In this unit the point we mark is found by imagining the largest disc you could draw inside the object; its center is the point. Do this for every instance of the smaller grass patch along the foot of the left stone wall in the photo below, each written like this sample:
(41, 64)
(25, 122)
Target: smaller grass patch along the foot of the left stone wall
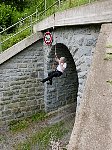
(17, 126)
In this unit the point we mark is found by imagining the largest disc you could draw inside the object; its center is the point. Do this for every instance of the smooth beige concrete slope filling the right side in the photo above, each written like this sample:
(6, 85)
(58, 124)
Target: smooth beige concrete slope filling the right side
(93, 124)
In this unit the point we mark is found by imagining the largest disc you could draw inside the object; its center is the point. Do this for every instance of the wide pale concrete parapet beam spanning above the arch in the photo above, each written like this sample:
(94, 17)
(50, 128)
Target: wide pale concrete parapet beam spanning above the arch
(97, 12)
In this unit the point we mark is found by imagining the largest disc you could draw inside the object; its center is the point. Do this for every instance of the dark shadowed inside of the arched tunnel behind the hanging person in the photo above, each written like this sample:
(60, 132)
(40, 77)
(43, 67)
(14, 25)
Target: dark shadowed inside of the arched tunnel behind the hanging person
(64, 89)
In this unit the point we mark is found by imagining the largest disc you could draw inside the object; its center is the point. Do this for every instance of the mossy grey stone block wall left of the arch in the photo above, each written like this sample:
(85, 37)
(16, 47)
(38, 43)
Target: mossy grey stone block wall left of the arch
(20, 94)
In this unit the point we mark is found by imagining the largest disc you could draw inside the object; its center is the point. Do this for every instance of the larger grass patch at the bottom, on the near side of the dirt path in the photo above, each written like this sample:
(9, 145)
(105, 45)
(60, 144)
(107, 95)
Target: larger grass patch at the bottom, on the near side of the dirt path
(43, 138)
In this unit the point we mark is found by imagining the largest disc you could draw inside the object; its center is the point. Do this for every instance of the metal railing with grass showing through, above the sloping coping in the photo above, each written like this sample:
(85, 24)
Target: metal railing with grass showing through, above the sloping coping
(27, 22)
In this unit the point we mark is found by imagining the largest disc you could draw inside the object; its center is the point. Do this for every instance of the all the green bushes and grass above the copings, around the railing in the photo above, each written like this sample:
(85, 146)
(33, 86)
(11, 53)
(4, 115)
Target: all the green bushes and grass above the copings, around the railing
(12, 11)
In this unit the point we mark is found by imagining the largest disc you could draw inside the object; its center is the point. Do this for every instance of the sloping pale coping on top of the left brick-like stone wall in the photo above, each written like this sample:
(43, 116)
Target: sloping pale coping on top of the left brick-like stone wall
(18, 47)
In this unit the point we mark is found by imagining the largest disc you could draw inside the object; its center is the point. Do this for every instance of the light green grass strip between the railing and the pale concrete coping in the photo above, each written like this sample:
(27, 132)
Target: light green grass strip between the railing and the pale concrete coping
(65, 5)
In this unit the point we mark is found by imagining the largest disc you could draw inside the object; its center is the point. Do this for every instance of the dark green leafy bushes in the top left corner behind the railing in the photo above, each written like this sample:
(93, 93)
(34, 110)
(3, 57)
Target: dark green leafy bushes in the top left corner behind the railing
(12, 10)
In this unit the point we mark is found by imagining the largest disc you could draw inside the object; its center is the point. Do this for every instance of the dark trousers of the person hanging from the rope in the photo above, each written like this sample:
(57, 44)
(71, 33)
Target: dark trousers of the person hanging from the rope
(51, 75)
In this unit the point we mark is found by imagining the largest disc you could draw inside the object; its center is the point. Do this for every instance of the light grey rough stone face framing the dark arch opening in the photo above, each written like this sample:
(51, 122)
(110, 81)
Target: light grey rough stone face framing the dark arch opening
(80, 42)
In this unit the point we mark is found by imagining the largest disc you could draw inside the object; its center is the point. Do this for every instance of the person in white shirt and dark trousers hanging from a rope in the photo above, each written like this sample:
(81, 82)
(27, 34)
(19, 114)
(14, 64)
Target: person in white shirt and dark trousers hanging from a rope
(59, 70)
